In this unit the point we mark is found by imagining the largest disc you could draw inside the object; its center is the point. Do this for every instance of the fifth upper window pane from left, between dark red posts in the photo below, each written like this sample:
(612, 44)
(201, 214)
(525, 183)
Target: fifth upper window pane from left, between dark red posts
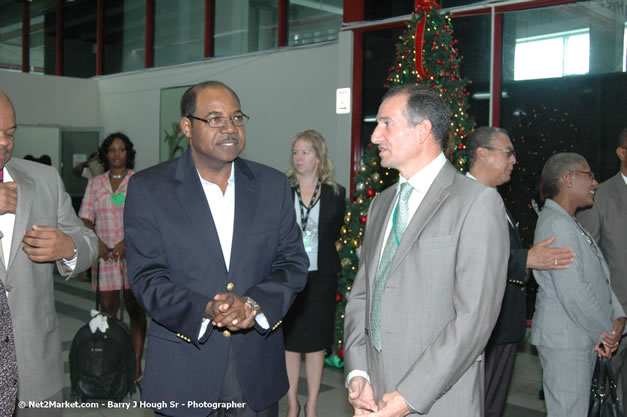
(179, 31)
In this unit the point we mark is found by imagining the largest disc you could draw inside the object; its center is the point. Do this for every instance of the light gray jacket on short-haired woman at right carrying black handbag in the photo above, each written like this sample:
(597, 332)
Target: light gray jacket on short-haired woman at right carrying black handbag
(575, 305)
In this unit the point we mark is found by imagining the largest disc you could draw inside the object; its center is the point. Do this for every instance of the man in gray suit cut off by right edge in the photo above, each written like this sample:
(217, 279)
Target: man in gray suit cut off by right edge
(606, 221)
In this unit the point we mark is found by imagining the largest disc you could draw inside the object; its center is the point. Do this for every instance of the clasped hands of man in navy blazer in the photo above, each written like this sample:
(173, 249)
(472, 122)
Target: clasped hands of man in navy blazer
(231, 311)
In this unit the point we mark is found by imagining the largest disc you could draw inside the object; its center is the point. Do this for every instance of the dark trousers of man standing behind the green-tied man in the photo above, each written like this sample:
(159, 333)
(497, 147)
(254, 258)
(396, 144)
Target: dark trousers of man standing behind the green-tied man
(499, 367)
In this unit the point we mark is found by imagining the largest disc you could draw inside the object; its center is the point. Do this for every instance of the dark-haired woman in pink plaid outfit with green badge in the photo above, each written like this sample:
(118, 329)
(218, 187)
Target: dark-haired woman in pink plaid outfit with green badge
(102, 211)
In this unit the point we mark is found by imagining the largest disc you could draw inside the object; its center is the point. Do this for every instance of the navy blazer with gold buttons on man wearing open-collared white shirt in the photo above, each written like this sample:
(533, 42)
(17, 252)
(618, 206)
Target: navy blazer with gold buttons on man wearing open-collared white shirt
(176, 266)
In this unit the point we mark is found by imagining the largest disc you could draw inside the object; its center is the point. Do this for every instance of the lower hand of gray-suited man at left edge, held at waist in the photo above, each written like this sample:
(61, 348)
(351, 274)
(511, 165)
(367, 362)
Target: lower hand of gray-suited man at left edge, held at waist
(46, 243)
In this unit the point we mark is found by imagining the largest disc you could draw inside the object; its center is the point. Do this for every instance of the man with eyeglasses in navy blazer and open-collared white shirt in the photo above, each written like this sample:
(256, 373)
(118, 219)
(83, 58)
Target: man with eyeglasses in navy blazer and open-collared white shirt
(215, 257)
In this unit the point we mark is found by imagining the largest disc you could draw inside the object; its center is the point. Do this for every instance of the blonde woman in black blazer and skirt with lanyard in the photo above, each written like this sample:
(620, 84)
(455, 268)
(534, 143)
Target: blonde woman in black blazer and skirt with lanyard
(320, 205)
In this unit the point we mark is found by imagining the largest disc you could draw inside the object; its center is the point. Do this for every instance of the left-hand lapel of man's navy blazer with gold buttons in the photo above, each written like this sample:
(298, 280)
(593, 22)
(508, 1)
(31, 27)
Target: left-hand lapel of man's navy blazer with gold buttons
(193, 203)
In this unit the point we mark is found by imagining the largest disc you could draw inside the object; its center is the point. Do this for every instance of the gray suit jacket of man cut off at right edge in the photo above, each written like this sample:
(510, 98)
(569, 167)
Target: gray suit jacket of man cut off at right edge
(606, 221)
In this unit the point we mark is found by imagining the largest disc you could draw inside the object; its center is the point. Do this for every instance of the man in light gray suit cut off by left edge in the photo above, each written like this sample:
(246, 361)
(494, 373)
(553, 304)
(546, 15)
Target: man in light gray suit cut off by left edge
(39, 228)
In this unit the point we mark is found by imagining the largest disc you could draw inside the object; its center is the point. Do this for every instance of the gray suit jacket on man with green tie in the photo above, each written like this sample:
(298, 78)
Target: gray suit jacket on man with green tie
(441, 300)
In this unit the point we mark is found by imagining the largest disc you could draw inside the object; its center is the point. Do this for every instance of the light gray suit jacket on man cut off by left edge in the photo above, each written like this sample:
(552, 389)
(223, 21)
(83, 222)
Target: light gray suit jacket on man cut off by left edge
(42, 201)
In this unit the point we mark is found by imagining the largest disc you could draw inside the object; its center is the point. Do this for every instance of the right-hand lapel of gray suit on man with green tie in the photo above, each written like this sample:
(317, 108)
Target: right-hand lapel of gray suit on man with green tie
(437, 193)
